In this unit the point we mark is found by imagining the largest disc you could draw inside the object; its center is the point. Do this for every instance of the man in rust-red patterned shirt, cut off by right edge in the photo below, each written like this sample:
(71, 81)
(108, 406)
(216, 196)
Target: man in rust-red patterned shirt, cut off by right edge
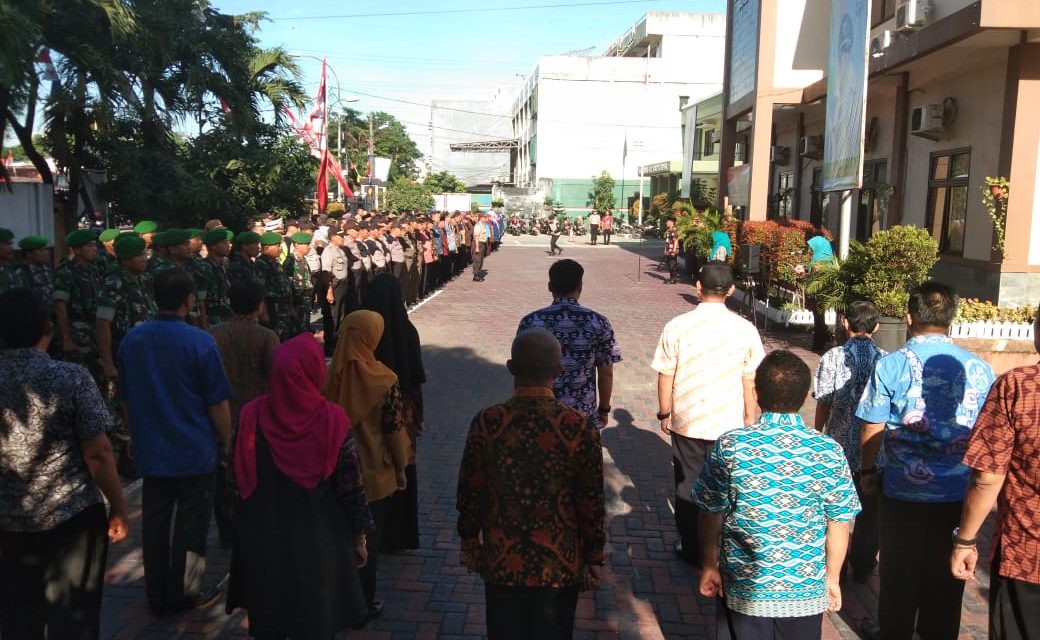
(1004, 454)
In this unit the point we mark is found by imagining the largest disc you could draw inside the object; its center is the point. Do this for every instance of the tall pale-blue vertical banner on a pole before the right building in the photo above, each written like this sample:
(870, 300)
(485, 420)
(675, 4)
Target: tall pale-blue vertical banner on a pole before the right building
(847, 78)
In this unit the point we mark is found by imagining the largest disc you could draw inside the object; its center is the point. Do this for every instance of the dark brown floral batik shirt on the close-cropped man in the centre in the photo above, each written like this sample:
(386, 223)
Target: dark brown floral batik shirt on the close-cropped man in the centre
(531, 493)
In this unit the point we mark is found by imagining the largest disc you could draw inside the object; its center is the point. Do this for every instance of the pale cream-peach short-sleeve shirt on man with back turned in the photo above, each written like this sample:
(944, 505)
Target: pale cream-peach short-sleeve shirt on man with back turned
(709, 352)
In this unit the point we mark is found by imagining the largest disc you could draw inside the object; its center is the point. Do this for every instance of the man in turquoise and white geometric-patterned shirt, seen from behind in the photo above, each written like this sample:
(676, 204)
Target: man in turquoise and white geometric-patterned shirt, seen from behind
(782, 497)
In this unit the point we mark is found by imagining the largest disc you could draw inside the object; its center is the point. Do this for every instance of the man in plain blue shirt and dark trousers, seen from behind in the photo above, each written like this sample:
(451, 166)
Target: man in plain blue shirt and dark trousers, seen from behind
(176, 394)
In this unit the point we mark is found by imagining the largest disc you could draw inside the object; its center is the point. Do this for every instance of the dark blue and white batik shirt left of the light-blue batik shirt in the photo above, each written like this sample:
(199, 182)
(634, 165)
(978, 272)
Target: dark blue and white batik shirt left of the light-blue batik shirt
(841, 379)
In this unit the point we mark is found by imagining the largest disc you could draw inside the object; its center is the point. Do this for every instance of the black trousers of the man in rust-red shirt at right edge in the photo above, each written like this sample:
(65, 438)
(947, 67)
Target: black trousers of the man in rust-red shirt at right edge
(1015, 606)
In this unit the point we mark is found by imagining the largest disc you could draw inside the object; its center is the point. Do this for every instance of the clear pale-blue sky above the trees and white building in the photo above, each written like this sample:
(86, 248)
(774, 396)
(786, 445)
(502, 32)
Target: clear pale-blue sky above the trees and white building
(465, 50)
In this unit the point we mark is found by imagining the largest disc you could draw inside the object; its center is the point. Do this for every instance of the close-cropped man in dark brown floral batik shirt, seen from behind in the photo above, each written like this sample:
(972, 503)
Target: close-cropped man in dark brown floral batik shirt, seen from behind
(531, 501)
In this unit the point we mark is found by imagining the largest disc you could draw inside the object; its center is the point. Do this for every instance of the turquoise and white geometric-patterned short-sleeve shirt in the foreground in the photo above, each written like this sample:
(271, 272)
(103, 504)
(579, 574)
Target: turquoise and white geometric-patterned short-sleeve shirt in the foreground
(776, 484)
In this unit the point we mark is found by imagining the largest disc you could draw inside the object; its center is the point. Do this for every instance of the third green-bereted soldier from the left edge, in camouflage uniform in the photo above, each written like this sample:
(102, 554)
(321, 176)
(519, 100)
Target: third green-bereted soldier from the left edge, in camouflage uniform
(76, 287)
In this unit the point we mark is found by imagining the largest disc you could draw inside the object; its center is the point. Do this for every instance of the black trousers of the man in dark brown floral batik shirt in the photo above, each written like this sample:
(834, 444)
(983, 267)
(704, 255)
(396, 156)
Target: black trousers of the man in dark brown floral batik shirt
(531, 613)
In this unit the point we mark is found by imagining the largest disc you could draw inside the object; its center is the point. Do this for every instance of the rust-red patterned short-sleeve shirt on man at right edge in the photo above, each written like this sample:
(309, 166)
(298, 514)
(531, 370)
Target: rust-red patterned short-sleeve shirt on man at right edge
(1006, 441)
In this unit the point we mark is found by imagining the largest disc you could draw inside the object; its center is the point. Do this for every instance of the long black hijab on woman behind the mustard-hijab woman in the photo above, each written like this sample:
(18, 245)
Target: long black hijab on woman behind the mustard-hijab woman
(399, 348)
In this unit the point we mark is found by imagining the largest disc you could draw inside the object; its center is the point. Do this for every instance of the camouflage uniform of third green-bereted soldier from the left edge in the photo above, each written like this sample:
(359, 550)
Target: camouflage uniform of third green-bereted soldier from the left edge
(77, 286)
